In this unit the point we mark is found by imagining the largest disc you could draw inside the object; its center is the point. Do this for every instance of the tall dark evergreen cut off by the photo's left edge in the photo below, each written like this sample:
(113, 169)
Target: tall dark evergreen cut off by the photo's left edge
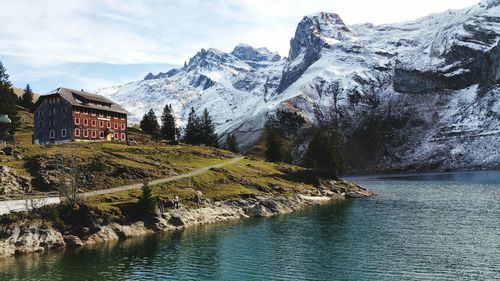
(8, 99)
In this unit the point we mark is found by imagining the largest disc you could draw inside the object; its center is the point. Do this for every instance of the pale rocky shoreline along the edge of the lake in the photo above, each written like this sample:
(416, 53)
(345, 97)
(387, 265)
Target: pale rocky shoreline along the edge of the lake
(37, 237)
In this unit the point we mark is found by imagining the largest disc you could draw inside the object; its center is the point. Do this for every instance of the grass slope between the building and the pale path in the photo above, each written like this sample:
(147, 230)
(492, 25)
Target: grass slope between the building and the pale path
(148, 159)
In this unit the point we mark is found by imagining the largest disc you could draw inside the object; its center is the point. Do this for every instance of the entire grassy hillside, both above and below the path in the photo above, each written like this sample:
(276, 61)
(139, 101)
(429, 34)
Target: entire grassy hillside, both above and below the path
(104, 165)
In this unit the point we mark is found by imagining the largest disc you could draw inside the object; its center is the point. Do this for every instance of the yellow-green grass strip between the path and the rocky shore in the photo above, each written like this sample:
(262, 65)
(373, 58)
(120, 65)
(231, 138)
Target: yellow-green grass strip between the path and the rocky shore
(242, 179)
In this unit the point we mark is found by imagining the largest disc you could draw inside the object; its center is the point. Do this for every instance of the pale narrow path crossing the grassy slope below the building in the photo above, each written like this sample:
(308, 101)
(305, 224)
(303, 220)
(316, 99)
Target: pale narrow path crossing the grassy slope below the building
(8, 206)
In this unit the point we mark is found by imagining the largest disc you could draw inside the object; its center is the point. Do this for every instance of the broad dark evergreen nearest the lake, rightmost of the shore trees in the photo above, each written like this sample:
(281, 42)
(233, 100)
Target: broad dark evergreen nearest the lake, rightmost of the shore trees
(324, 154)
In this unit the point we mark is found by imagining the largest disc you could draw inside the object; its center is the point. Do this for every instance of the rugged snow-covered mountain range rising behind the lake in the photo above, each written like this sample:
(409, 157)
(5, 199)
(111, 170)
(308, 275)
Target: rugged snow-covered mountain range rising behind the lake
(425, 93)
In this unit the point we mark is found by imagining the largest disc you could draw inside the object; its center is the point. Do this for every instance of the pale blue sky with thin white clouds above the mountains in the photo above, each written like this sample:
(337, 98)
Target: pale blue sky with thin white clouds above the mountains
(90, 44)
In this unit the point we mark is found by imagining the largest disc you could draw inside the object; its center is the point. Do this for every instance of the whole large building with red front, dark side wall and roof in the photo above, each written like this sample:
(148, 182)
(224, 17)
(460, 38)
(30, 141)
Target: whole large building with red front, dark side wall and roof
(70, 115)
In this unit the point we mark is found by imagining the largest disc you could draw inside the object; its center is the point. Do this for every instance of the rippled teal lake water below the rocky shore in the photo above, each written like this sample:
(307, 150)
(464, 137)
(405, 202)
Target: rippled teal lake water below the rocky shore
(419, 227)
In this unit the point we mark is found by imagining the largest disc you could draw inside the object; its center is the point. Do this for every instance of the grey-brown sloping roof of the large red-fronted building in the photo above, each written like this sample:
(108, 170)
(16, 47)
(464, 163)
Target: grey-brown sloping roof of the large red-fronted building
(84, 99)
